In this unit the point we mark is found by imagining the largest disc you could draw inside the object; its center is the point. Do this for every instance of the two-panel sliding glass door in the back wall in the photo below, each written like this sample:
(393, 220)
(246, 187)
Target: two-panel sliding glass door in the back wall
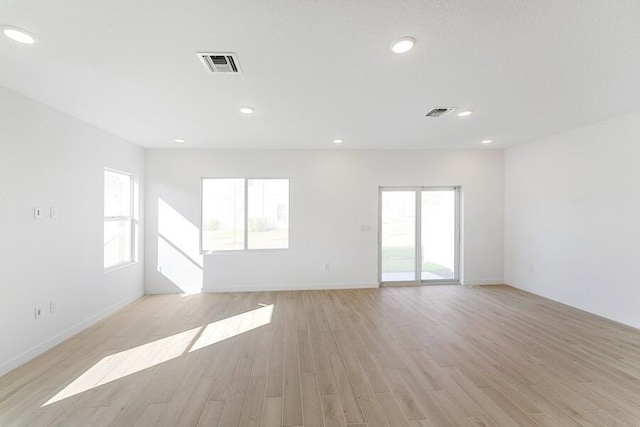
(419, 234)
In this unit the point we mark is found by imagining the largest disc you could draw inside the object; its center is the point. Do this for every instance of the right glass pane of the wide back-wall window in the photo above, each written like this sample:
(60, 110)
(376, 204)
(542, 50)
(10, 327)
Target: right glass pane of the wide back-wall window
(268, 213)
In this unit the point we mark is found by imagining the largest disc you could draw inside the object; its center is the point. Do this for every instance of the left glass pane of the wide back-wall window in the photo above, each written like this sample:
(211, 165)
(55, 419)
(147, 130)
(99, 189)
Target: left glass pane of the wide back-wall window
(222, 214)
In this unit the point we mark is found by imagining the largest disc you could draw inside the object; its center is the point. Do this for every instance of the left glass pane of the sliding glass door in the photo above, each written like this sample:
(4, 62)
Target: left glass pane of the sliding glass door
(398, 236)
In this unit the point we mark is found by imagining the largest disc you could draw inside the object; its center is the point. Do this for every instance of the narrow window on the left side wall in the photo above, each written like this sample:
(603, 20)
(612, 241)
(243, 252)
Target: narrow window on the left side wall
(118, 219)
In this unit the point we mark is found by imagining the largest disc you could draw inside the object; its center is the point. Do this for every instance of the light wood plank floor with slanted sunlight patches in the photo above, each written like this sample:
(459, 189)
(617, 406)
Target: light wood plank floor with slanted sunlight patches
(414, 356)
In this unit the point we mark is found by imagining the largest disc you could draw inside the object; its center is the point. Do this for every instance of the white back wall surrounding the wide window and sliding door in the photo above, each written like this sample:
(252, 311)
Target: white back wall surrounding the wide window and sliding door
(333, 193)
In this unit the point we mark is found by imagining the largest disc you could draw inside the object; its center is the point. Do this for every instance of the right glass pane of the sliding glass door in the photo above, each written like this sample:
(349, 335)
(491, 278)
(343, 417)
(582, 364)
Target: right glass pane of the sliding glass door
(438, 235)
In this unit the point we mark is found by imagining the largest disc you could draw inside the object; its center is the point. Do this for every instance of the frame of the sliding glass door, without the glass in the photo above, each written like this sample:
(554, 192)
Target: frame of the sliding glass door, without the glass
(418, 236)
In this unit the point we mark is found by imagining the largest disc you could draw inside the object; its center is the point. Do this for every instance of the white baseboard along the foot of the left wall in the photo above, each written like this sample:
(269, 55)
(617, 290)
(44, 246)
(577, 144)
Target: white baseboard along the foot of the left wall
(68, 333)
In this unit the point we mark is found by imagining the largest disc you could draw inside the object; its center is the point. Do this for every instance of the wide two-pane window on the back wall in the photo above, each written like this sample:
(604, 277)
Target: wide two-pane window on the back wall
(241, 214)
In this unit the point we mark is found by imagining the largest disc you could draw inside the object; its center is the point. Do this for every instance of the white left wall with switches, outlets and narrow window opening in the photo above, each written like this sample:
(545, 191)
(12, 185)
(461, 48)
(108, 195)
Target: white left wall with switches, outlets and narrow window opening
(51, 159)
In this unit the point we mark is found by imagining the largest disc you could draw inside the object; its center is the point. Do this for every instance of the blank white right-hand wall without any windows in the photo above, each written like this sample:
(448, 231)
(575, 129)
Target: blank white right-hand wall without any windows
(572, 226)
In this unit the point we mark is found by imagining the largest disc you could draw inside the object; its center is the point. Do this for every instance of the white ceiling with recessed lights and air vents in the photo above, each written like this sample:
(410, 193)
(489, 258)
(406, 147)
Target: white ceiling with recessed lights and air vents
(319, 70)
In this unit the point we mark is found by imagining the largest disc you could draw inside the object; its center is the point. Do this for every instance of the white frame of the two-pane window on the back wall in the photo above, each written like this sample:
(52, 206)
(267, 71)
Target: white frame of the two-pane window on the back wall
(245, 247)
